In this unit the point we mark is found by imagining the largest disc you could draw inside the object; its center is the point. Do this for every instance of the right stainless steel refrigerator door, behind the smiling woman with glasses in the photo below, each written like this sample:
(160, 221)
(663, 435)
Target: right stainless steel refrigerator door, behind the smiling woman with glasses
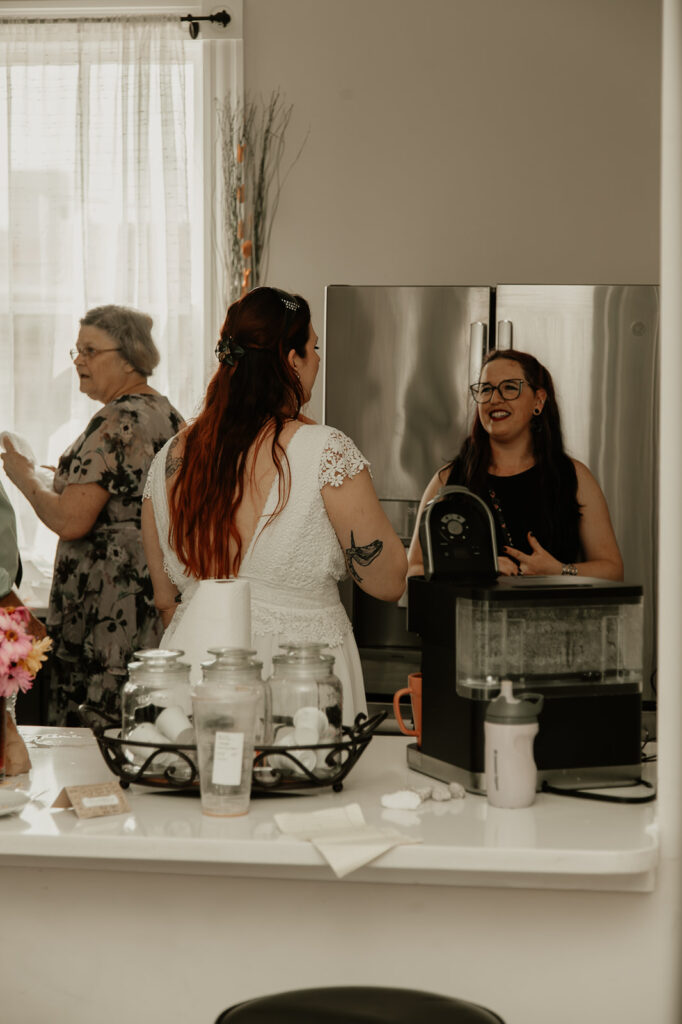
(601, 344)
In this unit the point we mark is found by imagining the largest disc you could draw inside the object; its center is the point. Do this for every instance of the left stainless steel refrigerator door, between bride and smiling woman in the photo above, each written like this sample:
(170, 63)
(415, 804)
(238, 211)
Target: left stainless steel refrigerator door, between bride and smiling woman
(397, 376)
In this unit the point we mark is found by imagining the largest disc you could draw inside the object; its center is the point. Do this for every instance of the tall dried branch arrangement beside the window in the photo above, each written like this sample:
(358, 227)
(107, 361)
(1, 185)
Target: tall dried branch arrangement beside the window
(252, 147)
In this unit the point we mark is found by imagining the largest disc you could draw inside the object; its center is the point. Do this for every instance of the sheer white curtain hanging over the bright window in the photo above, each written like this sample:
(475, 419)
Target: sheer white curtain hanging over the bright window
(97, 129)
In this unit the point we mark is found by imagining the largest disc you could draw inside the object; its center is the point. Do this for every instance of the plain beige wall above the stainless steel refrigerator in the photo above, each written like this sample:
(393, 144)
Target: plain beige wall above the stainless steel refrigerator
(463, 142)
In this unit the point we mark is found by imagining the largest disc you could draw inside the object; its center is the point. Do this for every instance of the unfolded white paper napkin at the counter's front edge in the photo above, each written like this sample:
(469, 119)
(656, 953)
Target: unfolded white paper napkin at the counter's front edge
(342, 836)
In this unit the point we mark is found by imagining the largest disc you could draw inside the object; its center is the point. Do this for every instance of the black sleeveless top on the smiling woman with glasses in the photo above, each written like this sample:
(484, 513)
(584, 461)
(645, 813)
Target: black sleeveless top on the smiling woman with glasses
(519, 508)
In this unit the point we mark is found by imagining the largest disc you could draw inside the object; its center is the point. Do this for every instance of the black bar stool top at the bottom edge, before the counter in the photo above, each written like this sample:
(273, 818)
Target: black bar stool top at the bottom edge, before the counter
(358, 1005)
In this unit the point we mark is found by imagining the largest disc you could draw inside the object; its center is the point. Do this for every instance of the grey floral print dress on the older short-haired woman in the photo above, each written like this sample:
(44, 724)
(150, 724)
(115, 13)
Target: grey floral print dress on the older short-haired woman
(102, 604)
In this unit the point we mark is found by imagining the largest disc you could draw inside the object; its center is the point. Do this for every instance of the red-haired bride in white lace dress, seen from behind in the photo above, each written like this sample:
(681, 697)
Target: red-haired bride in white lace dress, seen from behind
(254, 490)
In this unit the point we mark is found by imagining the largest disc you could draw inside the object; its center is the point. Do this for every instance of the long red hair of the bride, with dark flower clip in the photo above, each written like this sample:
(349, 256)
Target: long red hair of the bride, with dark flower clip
(260, 388)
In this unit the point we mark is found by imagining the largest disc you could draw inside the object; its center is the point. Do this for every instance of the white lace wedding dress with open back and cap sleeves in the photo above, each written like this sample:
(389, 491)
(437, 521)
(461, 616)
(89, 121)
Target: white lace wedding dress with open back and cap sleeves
(293, 564)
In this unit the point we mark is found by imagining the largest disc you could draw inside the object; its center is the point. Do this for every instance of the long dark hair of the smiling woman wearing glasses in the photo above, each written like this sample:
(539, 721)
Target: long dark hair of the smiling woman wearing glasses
(558, 474)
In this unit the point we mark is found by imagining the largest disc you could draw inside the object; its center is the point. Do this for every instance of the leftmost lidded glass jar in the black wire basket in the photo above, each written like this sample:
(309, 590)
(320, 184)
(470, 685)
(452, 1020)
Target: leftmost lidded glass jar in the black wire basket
(156, 705)
